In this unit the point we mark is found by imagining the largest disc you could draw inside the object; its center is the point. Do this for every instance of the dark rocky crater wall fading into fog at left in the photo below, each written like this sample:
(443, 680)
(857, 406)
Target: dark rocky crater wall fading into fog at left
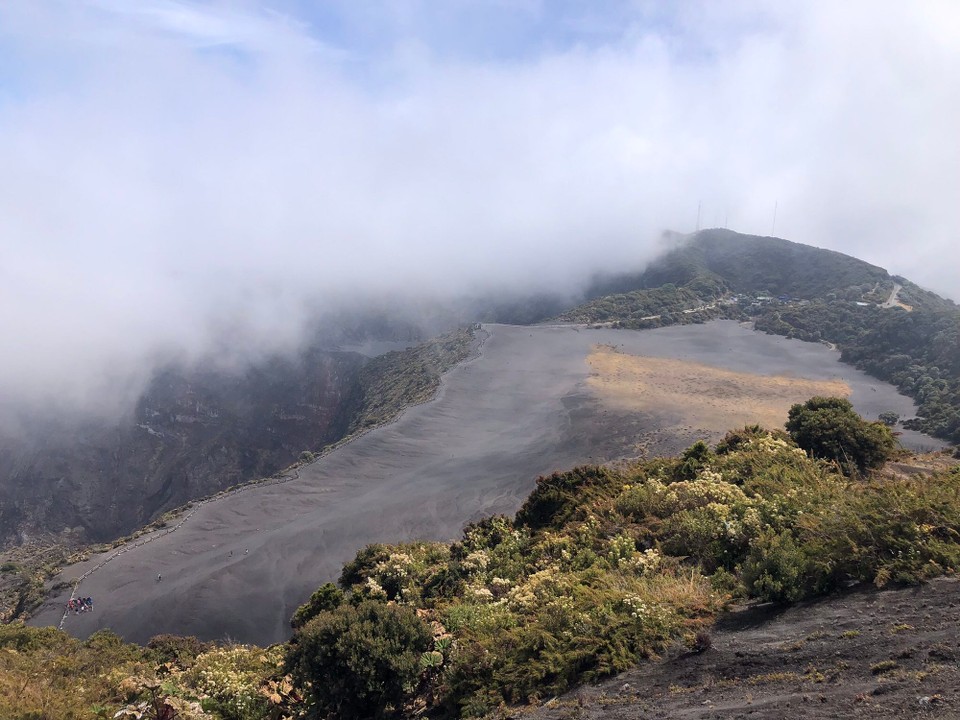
(190, 435)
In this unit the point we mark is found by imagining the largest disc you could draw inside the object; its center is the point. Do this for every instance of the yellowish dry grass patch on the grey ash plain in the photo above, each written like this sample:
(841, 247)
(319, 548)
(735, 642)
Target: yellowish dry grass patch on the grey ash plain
(703, 396)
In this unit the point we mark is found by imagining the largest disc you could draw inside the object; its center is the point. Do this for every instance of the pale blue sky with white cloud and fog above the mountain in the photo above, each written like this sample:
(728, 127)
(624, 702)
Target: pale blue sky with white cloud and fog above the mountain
(172, 168)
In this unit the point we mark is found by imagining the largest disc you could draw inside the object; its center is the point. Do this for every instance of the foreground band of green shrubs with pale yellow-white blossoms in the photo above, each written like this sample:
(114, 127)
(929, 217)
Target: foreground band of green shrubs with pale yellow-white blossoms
(601, 568)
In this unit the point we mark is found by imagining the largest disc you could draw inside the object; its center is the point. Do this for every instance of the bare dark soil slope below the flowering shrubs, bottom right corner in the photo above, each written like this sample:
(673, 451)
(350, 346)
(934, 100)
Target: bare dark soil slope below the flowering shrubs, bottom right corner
(861, 654)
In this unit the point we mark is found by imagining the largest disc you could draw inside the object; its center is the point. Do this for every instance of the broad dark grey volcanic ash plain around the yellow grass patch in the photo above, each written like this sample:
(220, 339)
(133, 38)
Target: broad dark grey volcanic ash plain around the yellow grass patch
(239, 566)
